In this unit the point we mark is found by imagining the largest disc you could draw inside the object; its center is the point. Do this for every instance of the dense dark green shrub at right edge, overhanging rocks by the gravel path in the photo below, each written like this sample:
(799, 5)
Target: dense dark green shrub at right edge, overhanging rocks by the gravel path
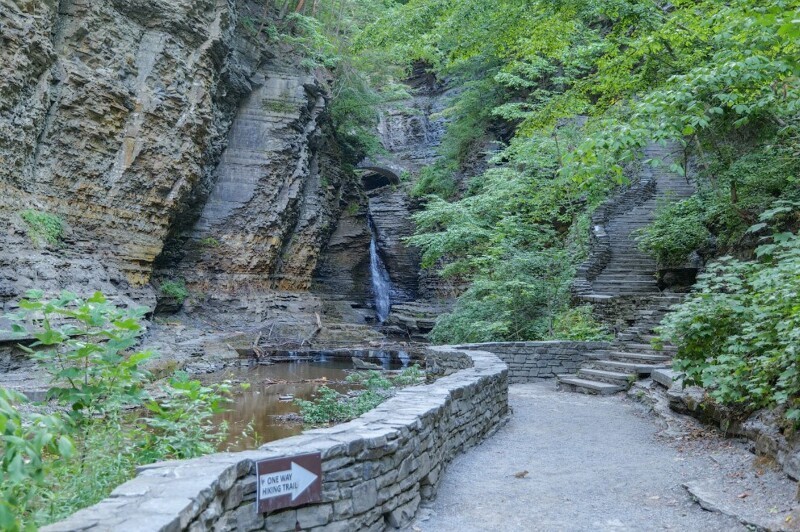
(738, 333)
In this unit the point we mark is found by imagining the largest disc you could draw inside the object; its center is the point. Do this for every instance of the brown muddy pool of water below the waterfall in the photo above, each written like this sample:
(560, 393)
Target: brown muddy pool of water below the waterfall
(259, 414)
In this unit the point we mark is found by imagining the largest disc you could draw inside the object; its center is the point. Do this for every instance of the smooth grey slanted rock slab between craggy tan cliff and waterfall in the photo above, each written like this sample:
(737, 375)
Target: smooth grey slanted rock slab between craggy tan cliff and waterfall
(279, 191)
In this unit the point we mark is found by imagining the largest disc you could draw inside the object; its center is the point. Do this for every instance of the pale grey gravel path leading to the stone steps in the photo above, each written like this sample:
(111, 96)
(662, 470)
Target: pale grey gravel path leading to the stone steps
(593, 463)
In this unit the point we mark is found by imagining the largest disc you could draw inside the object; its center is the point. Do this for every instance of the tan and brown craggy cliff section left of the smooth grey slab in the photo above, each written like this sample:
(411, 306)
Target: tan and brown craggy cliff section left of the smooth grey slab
(112, 114)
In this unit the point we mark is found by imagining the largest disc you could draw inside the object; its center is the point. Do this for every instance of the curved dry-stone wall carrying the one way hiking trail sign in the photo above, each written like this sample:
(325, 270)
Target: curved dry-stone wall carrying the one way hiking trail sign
(376, 469)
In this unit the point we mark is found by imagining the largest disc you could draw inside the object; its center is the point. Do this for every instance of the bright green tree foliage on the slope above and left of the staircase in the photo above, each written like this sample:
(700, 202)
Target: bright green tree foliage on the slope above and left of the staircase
(720, 78)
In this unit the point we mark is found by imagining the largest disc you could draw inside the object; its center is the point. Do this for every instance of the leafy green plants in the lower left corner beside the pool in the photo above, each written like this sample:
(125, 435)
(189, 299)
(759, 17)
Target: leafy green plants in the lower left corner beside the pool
(53, 465)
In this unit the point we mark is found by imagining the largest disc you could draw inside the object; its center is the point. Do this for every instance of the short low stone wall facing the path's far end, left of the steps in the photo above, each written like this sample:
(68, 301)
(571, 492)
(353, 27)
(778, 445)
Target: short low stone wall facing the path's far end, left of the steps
(540, 360)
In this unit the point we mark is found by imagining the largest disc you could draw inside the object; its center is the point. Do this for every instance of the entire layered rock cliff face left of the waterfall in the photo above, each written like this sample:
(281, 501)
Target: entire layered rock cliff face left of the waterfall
(169, 139)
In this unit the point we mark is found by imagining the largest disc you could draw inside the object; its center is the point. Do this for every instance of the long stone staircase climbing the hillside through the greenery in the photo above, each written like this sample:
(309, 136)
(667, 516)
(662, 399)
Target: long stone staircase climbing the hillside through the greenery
(620, 274)
